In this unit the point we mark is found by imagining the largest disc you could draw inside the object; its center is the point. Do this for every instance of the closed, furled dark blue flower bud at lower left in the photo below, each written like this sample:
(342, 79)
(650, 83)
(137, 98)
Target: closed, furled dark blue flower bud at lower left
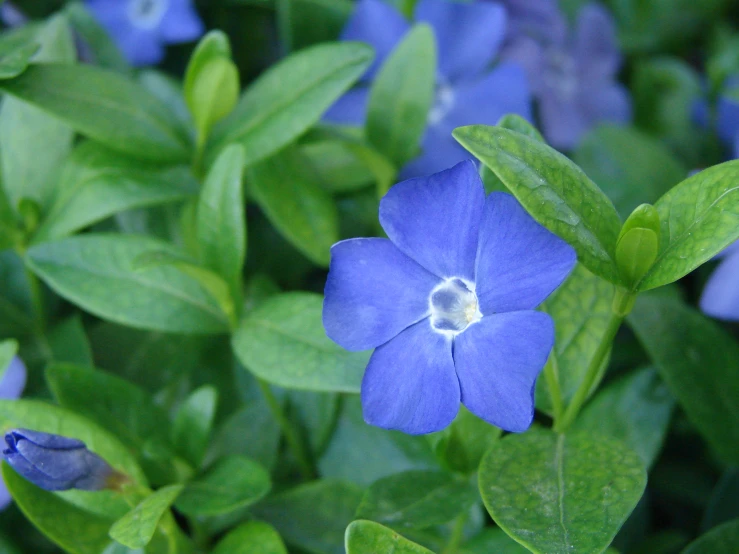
(55, 463)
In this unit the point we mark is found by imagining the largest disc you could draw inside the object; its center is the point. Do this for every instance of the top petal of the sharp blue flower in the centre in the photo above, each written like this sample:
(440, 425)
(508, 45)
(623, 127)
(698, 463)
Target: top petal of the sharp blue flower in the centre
(434, 219)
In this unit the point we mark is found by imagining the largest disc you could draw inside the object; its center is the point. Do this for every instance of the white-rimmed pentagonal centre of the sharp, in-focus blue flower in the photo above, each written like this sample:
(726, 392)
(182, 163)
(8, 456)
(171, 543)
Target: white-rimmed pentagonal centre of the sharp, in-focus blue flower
(453, 306)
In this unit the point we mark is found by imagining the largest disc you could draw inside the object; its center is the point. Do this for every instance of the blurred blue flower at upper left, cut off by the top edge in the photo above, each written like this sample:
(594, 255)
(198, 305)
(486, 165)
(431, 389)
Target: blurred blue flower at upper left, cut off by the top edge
(141, 27)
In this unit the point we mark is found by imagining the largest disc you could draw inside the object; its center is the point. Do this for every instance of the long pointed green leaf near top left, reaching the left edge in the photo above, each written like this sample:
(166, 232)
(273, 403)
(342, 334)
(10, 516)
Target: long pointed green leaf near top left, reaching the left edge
(104, 106)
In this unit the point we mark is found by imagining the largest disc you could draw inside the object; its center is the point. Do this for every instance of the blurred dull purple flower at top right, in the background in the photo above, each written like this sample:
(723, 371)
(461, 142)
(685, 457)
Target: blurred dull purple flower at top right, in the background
(574, 78)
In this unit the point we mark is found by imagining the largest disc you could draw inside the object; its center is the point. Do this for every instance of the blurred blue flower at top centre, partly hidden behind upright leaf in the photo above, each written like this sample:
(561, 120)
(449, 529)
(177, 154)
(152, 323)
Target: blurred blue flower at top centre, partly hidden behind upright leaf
(468, 37)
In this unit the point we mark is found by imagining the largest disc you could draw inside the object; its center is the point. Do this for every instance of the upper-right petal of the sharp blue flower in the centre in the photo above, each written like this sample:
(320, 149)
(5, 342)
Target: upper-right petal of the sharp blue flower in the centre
(519, 262)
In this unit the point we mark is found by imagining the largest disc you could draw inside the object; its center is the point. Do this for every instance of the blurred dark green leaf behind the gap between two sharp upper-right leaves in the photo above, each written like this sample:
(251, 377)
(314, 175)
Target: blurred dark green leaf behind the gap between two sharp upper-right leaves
(630, 166)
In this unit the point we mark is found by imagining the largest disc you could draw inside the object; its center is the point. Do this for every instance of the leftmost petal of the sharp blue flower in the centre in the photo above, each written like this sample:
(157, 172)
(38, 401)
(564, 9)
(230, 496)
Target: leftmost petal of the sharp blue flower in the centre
(373, 292)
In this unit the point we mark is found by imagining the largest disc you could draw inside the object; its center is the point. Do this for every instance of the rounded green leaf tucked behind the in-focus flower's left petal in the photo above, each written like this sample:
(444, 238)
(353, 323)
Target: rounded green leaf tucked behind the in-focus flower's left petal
(283, 342)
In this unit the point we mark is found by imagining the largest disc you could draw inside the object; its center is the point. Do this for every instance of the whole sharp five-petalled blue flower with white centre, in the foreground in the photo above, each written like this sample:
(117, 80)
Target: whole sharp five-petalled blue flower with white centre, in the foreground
(448, 304)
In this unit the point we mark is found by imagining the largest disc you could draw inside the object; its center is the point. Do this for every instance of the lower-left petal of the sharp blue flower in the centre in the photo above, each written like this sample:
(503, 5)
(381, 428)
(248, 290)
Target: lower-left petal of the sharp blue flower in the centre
(410, 384)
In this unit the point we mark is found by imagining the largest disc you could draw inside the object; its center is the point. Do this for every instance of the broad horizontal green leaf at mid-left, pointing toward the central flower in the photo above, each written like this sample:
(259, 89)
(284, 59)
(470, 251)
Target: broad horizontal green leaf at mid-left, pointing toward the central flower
(87, 268)
